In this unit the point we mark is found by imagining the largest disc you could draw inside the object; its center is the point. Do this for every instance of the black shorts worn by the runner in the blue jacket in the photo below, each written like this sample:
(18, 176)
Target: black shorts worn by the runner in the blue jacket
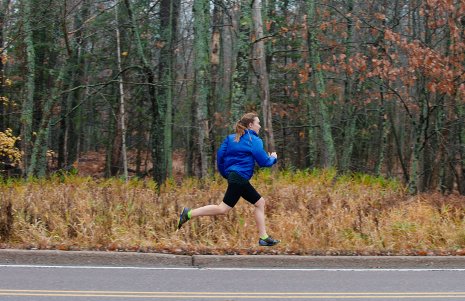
(239, 187)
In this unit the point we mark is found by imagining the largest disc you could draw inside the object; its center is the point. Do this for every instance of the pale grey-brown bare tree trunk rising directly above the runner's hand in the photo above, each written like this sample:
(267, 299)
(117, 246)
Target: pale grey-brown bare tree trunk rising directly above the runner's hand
(259, 63)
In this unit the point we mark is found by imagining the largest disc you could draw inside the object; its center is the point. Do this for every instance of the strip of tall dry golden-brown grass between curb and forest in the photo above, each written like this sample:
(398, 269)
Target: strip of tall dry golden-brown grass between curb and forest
(312, 212)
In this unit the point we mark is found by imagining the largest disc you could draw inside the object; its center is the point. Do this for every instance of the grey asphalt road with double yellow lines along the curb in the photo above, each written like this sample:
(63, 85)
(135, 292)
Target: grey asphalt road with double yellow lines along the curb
(39, 282)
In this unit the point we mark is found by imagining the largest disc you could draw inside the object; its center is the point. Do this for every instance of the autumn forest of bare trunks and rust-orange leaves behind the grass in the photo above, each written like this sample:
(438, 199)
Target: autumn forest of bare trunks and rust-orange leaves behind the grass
(153, 86)
